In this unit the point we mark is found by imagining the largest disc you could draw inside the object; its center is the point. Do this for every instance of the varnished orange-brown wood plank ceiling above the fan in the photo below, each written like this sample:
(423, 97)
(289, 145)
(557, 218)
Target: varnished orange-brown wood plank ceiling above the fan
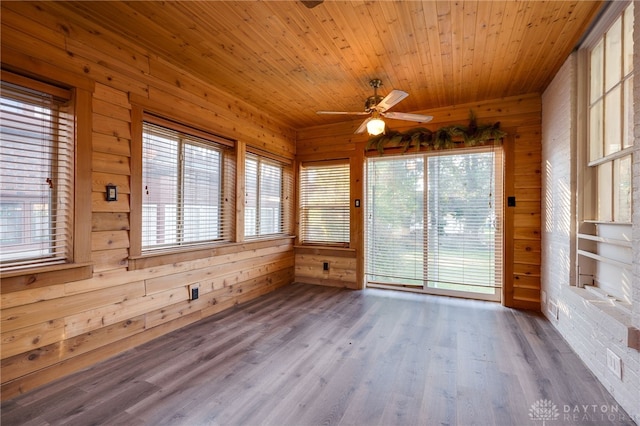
(291, 60)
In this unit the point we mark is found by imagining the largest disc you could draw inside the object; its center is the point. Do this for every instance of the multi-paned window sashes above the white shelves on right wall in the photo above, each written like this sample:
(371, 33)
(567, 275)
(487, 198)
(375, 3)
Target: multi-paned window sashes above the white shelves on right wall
(611, 119)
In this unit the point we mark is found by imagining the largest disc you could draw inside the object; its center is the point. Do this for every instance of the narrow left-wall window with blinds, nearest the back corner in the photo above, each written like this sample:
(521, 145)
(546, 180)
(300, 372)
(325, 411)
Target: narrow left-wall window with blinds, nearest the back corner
(266, 184)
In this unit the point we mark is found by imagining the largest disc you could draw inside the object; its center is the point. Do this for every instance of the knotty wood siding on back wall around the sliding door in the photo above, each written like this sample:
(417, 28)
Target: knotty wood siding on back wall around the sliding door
(520, 117)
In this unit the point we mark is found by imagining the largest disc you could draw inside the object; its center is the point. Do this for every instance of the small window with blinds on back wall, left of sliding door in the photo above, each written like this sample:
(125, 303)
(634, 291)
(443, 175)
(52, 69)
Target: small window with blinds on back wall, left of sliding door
(324, 203)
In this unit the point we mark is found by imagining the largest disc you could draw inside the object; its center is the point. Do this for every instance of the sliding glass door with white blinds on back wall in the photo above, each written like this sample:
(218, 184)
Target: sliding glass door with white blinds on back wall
(434, 222)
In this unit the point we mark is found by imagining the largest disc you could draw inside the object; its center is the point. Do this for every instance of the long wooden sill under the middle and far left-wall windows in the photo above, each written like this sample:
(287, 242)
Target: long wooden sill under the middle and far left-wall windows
(166, 257)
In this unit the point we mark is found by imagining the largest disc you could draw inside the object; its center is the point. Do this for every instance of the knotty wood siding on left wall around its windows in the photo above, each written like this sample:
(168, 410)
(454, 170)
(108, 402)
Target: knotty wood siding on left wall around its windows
(53, 325)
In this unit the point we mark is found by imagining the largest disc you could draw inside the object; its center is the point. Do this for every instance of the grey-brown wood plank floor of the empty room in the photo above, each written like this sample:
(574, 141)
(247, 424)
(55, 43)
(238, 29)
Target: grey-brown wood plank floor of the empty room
(311, 355)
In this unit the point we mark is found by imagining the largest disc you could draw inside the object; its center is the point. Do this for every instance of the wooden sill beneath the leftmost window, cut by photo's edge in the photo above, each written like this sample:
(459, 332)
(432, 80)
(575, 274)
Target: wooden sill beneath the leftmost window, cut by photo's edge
(37, 277)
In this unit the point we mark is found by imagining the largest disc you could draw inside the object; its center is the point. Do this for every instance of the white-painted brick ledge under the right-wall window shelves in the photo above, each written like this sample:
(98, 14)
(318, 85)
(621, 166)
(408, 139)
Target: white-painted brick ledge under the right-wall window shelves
(618, 313)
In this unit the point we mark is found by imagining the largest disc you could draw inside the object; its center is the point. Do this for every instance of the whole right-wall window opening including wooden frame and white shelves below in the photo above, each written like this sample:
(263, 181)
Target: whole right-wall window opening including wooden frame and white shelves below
(604, 238)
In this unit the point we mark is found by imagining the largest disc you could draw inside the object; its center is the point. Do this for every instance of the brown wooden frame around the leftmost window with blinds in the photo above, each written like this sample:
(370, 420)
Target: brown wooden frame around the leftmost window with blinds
(78, 264)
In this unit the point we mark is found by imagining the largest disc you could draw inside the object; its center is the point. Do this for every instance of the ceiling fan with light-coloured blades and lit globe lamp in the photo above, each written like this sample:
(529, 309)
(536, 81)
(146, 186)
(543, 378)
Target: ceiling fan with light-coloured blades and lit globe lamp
(377, 107)
